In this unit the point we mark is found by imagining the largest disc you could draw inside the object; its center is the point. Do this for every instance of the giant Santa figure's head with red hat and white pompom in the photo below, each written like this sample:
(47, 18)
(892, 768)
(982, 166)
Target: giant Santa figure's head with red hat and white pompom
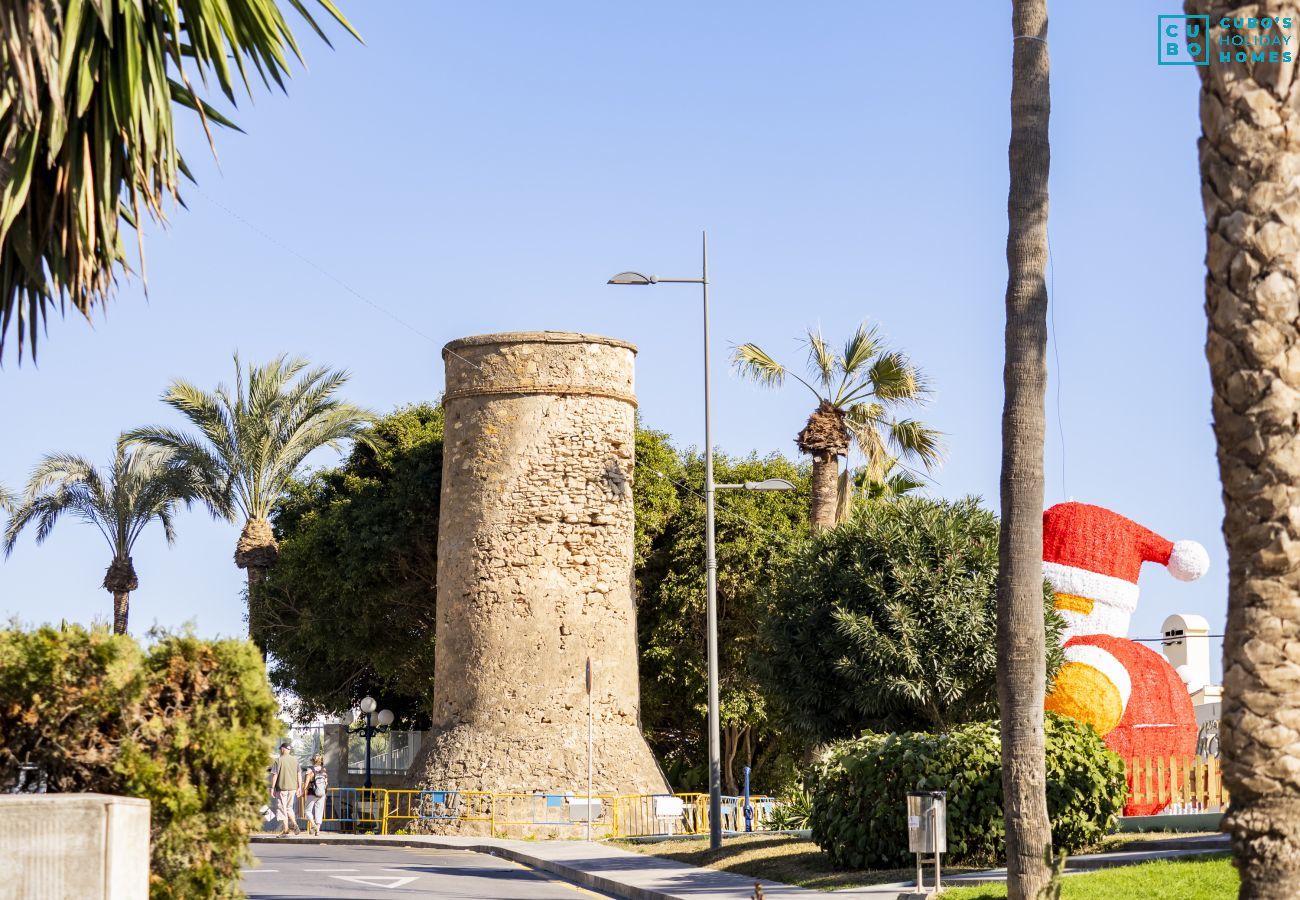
(1093, 557)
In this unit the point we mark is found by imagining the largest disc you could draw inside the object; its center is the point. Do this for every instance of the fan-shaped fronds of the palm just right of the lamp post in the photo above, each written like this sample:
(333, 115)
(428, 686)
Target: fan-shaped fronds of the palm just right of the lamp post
(865, 383)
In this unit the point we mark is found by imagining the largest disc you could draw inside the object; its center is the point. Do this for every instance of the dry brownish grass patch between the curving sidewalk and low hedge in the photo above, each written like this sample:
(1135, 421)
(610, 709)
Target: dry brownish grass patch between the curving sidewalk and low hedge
(778, 858)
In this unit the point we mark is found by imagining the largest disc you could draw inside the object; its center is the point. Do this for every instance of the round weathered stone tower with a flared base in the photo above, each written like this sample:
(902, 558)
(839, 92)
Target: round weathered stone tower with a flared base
(535, 569)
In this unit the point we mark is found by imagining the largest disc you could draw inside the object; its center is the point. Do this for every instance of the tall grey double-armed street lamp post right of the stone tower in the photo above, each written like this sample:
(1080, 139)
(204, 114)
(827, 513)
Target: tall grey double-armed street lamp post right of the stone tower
(716, 769)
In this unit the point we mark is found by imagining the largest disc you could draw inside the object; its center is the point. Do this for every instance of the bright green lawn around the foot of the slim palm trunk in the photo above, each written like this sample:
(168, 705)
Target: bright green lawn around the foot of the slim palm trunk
(1168, 880)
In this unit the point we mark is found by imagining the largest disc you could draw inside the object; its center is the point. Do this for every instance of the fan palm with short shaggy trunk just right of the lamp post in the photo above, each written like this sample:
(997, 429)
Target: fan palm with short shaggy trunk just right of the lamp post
(857, 392)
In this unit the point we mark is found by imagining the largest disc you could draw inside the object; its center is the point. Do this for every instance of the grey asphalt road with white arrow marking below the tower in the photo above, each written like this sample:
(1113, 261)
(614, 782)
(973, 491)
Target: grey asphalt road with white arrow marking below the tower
(362, 873)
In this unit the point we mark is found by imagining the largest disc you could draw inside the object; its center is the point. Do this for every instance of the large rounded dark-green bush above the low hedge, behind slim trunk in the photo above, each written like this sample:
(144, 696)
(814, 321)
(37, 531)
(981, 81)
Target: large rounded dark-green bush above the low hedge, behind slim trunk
(889, 622)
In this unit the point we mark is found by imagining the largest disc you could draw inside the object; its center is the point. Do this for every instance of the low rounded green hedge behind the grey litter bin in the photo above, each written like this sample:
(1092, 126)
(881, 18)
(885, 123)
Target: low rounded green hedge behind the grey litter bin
(861, 786)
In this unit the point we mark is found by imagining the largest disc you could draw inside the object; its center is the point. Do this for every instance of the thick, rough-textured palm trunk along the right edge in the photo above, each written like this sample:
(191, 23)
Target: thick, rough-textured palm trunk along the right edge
(1250, 155)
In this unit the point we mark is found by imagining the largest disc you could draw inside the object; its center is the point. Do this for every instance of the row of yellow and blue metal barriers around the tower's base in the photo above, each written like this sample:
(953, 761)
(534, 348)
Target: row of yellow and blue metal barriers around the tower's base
(383, 811)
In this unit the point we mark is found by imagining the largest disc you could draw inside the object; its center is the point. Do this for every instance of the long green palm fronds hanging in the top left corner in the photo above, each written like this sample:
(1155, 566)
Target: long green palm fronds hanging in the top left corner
(88, 137)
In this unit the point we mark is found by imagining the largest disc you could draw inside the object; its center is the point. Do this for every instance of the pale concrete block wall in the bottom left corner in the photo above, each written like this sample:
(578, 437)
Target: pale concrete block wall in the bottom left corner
(85, 846)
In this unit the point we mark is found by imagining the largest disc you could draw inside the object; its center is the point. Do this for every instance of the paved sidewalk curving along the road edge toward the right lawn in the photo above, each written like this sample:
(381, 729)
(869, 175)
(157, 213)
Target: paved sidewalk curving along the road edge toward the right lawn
(640, 877)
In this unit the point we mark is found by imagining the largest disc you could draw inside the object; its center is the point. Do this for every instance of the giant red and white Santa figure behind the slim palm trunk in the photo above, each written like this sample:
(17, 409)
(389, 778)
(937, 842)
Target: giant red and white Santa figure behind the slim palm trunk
(1129, 693)
